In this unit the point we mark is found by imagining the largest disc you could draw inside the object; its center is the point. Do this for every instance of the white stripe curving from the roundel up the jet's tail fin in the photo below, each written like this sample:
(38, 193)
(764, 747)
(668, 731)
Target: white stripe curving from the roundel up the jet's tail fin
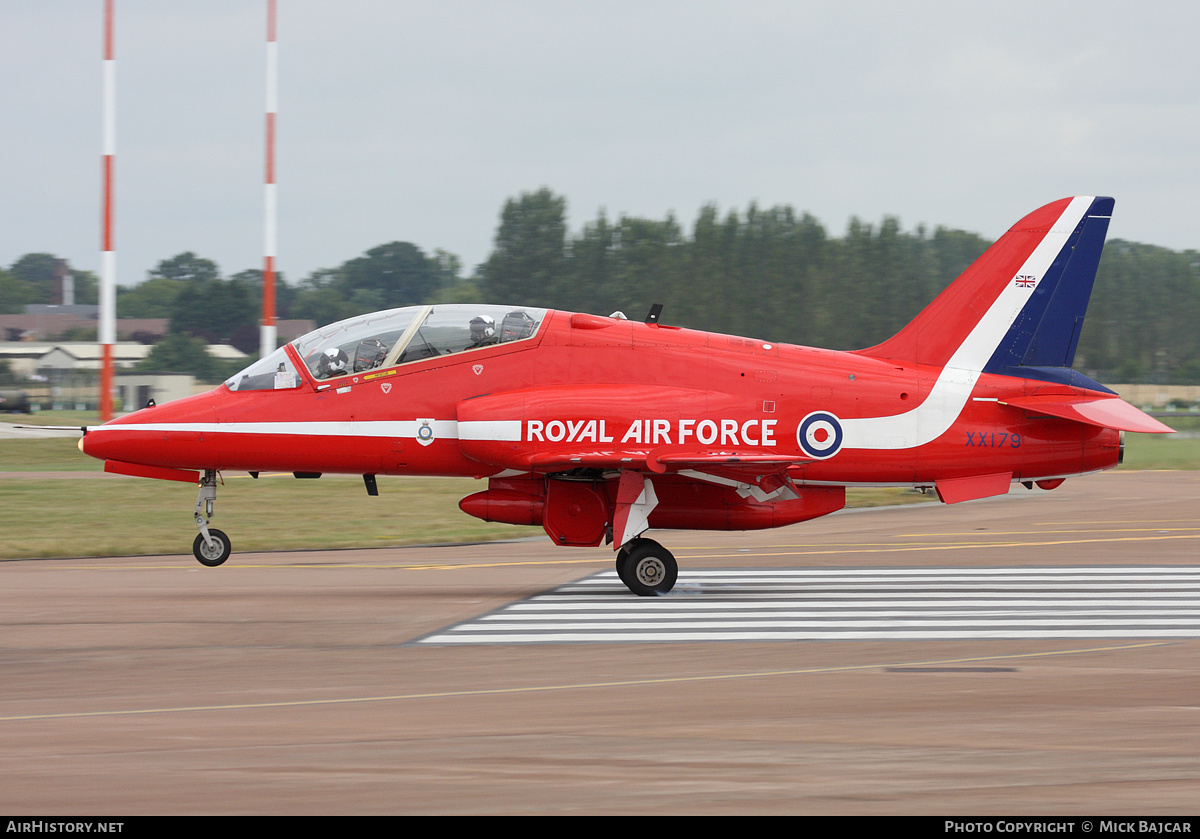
(934, 417)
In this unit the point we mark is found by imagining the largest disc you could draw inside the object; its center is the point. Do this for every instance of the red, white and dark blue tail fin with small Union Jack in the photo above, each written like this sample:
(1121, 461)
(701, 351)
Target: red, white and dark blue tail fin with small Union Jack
(1019, 308)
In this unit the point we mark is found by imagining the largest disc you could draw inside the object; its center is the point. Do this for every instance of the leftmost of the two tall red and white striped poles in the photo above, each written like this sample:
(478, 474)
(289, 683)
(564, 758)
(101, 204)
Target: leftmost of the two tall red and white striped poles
(107, 333)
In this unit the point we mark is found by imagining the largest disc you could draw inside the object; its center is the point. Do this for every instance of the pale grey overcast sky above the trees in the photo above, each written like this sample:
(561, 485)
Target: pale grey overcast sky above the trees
(417, 121)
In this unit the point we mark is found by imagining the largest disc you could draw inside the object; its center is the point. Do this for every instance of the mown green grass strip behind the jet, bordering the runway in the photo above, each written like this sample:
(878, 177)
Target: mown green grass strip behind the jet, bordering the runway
(117, 517)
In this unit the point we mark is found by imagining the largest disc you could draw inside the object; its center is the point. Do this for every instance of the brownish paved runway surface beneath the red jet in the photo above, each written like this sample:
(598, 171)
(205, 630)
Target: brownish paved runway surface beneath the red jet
(337, 682)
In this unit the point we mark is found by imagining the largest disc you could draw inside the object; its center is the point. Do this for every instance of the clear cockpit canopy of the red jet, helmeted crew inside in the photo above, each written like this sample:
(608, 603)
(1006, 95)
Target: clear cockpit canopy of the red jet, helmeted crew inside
(388, 339)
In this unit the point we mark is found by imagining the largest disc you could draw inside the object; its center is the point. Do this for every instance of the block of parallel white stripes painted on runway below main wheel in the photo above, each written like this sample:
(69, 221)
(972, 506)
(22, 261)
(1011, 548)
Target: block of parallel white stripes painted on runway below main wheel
(825, 604)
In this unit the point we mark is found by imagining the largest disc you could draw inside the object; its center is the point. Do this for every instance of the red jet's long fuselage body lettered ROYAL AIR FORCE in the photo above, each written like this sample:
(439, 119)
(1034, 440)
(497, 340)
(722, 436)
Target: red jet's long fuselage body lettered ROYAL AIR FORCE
(587, 385)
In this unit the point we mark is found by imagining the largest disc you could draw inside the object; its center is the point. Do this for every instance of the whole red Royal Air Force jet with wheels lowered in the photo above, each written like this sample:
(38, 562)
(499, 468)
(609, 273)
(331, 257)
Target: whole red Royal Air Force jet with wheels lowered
(601, 428)
